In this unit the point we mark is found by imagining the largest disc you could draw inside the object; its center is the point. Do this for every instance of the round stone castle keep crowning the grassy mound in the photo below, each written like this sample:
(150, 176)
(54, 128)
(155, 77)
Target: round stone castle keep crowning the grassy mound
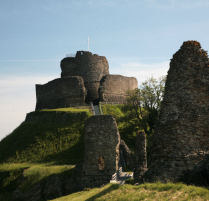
(84, 78)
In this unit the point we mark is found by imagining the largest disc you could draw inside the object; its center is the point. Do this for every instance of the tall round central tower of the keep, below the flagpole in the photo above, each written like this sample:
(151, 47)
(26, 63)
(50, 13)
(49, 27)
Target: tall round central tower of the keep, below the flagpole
(90, 67)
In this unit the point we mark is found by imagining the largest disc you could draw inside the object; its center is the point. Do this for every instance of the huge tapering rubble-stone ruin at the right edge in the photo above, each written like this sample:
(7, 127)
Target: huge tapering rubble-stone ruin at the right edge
(181, 135)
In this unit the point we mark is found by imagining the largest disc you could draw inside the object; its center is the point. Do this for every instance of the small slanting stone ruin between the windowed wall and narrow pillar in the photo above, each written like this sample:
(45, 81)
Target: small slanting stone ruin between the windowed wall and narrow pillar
(128, 156)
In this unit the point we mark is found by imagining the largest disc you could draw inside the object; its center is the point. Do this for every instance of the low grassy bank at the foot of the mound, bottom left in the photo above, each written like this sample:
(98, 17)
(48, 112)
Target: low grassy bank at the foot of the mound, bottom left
(26, 175)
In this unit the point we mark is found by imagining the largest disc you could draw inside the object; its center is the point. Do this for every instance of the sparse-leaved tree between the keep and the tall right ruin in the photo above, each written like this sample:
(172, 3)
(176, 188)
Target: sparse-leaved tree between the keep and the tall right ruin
(144, 103)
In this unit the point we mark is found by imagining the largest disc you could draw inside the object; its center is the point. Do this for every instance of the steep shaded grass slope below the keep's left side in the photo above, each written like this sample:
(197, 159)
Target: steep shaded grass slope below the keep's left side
(49, 135)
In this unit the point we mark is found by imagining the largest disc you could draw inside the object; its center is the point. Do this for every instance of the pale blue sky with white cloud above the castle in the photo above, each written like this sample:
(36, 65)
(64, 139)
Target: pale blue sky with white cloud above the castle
(138, 38)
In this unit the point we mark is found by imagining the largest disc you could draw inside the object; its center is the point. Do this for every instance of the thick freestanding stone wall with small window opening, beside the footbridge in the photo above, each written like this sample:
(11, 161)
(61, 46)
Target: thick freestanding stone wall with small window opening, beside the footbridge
(102, 140)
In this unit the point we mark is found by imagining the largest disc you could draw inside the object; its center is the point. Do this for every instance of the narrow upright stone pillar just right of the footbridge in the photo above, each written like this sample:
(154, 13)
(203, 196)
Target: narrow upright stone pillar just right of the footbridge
(140, 156)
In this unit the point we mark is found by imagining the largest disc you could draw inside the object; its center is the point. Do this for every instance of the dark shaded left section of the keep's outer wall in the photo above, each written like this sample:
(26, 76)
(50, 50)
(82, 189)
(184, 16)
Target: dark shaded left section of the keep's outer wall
(60, 93)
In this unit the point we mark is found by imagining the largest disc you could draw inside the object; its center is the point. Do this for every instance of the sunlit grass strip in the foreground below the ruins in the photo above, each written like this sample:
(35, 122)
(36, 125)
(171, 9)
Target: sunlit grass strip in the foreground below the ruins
(148, 191)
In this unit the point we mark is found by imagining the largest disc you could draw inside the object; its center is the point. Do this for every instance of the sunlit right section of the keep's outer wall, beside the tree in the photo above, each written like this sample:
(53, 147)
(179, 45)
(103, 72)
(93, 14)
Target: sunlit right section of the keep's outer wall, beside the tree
(113, 88)
